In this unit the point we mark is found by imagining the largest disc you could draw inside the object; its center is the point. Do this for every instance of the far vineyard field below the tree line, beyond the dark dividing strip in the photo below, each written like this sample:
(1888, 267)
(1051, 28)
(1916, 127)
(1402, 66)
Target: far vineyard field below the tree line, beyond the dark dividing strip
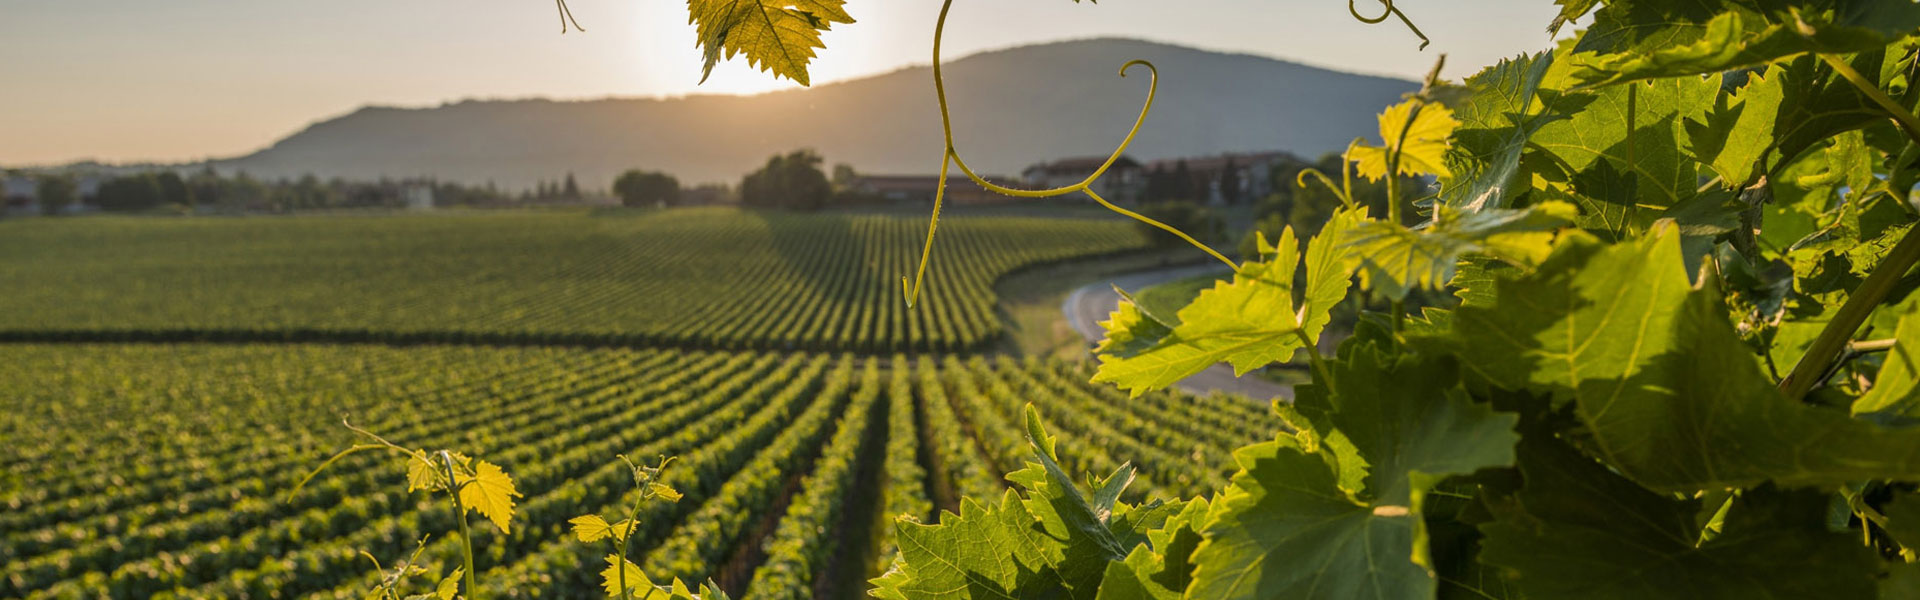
(688, 278)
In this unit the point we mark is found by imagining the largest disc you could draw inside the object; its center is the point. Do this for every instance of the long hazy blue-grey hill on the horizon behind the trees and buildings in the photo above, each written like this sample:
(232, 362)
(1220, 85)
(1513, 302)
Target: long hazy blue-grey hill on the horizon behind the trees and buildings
(1011, 109)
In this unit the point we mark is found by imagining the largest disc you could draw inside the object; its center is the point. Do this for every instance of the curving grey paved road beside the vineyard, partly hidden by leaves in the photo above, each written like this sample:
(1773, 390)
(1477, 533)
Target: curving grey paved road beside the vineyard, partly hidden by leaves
(1093, 303)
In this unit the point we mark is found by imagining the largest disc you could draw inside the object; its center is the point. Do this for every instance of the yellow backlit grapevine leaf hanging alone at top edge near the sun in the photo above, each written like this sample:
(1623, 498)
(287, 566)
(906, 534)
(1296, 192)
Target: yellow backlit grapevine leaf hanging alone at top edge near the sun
(775, 36)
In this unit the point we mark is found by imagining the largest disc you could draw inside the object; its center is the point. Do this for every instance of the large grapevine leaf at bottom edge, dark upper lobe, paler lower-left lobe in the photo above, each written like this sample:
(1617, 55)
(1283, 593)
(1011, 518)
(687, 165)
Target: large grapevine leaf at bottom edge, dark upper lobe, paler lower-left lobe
(1412, 426)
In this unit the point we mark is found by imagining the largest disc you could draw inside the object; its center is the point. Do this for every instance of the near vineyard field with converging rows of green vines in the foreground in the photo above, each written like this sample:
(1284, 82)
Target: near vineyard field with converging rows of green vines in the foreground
(170, 474)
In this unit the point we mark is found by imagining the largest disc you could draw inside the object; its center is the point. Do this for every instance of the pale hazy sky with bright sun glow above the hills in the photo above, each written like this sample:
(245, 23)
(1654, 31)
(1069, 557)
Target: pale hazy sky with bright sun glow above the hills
(185, 80)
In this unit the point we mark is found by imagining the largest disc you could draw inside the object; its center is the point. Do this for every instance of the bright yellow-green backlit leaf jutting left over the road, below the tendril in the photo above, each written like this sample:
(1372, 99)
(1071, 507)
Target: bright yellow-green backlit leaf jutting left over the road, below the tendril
(1247, 322)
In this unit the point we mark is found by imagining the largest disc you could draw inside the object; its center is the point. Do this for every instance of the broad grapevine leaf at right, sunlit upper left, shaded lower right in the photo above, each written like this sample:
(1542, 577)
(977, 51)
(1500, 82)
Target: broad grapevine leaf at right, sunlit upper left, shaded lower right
(1654, 370)
